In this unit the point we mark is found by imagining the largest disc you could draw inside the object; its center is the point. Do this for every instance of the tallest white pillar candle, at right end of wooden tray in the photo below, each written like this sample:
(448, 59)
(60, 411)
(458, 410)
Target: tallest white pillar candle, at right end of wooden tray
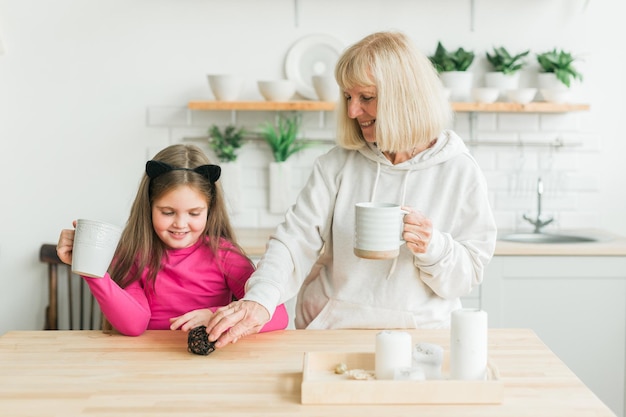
(468, 344)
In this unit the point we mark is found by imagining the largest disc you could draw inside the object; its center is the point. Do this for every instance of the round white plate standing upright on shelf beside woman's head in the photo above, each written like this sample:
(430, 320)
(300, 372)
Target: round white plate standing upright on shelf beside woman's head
(309, 56)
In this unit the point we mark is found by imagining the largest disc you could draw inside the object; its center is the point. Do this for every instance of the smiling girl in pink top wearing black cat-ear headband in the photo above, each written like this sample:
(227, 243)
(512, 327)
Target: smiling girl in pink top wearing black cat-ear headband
(177, 260)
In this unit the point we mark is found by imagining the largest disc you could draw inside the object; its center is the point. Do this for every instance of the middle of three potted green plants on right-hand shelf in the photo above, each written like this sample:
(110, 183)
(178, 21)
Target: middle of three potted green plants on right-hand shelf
(505, 69)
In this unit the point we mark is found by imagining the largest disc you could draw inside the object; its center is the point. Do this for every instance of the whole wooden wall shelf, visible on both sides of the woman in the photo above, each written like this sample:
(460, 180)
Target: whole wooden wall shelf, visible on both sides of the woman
(498, 107)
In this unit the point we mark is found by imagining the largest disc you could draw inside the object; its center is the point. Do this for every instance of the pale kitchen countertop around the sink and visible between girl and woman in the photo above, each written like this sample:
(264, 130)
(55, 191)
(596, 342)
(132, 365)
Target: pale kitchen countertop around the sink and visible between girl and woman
(253, 241)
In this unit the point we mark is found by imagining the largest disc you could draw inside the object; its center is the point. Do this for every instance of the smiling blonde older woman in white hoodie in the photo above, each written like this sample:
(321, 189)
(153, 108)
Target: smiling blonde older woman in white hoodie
(394, 147)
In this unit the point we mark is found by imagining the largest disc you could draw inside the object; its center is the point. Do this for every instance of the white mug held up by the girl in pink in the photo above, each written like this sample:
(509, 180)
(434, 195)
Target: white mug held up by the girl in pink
(94, 246)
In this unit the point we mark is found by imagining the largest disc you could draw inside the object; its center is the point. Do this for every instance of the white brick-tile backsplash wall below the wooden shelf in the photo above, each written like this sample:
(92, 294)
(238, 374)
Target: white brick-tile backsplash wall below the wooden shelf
(513, 149)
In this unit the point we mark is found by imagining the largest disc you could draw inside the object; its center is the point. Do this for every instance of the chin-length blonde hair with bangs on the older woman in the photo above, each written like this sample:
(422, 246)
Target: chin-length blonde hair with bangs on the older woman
(412, 108)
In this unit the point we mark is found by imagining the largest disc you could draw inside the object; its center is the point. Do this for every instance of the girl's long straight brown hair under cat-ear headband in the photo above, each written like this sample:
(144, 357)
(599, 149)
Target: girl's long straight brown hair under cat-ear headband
(140, 247)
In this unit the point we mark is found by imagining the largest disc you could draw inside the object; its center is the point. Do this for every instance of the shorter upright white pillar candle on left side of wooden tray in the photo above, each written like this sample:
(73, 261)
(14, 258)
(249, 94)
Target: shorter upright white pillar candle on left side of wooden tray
(393, 351)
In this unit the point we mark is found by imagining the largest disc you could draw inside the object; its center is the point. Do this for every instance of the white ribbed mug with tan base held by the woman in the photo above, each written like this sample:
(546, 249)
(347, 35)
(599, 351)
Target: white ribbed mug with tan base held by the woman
(378, 230)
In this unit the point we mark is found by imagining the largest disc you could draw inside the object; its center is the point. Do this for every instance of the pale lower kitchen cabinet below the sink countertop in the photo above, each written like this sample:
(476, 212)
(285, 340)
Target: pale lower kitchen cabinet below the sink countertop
(576, 305)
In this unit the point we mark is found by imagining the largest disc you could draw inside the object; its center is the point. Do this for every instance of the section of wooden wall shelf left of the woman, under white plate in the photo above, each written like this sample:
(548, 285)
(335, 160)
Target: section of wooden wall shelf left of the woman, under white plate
(263, 105)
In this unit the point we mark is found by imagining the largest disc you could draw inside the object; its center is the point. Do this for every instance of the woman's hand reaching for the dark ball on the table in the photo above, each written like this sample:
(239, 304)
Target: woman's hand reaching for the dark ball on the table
(236, 320)
